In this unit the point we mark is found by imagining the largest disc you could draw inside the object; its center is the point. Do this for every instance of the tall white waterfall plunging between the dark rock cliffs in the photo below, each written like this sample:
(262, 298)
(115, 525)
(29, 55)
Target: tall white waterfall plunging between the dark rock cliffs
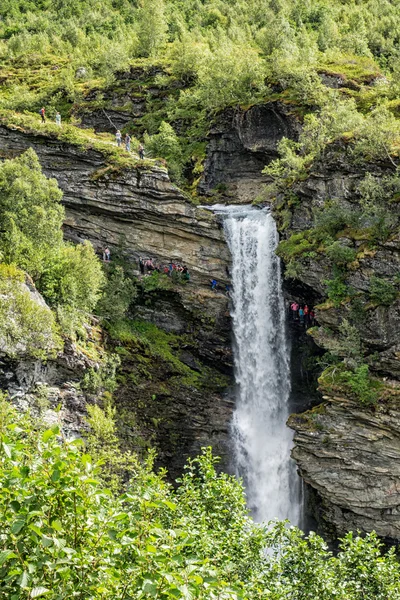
(260, 437)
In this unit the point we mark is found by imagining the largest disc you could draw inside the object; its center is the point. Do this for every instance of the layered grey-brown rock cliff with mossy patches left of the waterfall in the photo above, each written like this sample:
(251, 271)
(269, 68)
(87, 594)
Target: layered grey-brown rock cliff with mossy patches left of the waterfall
(138, 212)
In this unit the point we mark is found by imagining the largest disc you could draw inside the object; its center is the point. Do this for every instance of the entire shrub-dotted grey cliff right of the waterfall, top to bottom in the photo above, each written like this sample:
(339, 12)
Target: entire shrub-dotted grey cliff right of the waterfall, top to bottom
(348, 451)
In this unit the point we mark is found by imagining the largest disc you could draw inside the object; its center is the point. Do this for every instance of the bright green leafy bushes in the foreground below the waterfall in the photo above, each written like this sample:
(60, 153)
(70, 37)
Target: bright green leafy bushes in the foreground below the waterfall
(63, 534)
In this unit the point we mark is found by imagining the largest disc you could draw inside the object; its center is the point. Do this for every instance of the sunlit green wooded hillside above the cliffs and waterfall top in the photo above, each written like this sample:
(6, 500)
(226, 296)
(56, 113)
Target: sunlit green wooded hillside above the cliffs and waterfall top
(209, 55)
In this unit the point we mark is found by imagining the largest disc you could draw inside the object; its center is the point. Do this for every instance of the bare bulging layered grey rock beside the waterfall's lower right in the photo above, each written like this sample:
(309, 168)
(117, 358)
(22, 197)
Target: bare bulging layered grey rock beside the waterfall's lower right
(350, 455)
